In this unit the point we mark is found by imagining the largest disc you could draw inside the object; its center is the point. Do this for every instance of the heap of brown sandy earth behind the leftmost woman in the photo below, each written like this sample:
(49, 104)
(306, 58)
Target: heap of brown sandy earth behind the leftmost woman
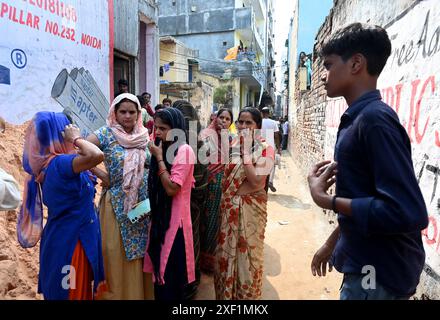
(18, 266)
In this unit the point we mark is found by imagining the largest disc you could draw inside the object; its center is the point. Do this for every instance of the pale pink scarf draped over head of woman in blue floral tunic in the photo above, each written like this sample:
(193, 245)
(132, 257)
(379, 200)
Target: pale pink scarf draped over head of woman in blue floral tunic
(135, 144)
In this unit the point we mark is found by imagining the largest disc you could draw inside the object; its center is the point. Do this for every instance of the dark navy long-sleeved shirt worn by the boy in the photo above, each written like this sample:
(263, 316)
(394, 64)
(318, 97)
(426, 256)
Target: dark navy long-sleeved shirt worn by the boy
(375, 170)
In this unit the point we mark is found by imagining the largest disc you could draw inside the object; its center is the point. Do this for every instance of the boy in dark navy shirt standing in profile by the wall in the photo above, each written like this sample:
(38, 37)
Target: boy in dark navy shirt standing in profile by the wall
(381, 212)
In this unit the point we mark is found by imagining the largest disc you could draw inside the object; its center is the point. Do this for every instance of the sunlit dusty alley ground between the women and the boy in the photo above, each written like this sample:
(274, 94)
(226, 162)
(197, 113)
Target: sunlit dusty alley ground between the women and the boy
(295, 229)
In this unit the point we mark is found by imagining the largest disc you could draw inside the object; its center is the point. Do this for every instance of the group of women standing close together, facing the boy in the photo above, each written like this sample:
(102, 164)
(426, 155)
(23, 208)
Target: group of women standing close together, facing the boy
(184, 223)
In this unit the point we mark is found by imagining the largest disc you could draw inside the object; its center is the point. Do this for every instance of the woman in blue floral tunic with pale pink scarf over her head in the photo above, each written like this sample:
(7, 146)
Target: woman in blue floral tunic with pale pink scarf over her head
(124, 143)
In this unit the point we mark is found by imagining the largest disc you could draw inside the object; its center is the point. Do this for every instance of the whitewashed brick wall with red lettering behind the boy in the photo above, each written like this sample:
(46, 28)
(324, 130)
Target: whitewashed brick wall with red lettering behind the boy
(410, 83)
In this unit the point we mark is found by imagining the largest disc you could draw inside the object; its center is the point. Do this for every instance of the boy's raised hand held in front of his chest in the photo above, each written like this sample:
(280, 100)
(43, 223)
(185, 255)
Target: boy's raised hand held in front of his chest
(320, 178)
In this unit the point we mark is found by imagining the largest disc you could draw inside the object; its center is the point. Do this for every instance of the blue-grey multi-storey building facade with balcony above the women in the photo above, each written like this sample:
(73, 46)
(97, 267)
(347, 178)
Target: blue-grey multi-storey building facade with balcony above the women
(212, 27)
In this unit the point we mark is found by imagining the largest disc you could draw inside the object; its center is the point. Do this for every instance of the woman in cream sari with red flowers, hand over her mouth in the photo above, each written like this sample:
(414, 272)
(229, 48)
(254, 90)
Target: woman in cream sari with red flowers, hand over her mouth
(238, 270)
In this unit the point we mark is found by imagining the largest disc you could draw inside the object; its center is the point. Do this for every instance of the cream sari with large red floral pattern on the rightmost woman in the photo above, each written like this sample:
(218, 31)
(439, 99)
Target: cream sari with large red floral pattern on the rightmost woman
(239, 255)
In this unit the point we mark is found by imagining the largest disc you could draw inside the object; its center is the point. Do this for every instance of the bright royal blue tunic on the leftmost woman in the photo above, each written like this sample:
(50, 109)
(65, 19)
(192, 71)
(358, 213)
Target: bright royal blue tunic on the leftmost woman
(71, 217)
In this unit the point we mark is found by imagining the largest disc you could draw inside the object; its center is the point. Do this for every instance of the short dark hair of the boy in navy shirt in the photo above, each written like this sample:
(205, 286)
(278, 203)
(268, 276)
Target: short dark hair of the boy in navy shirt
(370, 41)
